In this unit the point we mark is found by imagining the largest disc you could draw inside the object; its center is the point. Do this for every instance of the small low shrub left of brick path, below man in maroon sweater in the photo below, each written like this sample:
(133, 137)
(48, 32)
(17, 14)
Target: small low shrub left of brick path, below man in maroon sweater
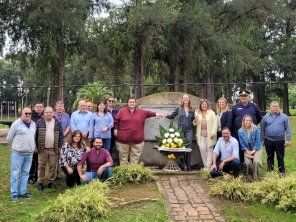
(131, 173)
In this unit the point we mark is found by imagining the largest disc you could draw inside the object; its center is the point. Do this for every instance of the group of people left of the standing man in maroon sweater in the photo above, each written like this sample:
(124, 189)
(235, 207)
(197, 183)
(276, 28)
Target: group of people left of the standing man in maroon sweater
(42, 137)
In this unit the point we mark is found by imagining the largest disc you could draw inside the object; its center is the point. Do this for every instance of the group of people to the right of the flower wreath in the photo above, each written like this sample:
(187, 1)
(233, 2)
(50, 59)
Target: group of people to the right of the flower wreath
(230, 140)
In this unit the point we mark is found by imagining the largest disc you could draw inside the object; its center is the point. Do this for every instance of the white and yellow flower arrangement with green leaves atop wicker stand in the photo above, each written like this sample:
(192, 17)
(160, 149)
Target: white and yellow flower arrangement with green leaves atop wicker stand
(171, 140)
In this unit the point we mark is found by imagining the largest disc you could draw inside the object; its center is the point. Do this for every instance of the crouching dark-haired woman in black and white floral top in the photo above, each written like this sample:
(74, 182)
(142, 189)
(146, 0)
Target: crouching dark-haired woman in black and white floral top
(71, 153)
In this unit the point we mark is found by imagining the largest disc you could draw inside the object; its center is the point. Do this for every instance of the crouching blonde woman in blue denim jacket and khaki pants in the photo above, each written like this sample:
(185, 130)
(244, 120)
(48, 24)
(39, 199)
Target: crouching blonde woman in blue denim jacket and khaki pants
(249, 139)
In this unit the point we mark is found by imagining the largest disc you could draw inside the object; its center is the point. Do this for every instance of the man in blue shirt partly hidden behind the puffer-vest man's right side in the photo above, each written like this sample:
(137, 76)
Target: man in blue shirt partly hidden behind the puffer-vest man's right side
(64, 120)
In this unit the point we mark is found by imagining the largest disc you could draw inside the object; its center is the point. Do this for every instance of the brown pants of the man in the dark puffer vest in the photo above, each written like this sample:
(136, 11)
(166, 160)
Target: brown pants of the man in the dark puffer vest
(48, 155)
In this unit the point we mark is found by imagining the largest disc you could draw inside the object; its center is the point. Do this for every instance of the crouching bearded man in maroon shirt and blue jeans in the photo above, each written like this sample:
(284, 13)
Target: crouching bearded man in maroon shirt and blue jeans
(99, 162)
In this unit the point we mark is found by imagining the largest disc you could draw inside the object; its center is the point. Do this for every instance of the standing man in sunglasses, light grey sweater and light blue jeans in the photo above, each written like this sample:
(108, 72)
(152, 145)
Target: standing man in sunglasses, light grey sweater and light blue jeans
(21, 137)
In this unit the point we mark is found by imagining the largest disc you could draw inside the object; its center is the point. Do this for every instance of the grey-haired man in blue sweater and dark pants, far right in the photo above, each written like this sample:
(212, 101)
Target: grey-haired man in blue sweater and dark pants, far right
(275, 135)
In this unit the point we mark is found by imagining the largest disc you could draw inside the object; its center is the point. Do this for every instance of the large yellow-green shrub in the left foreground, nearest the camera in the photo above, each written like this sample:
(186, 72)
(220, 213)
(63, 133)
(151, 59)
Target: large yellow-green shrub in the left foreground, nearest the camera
(82, 203)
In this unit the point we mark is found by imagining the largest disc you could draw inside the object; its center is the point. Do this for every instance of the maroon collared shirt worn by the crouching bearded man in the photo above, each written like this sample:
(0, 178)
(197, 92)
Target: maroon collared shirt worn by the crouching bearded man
(95, 161)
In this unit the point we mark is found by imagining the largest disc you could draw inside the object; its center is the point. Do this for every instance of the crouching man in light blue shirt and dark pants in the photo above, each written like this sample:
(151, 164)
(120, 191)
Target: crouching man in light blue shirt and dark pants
(226, 155)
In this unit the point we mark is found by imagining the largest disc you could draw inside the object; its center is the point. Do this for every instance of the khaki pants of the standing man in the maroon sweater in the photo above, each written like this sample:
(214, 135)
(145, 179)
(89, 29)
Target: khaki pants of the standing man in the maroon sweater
(133, 152)
